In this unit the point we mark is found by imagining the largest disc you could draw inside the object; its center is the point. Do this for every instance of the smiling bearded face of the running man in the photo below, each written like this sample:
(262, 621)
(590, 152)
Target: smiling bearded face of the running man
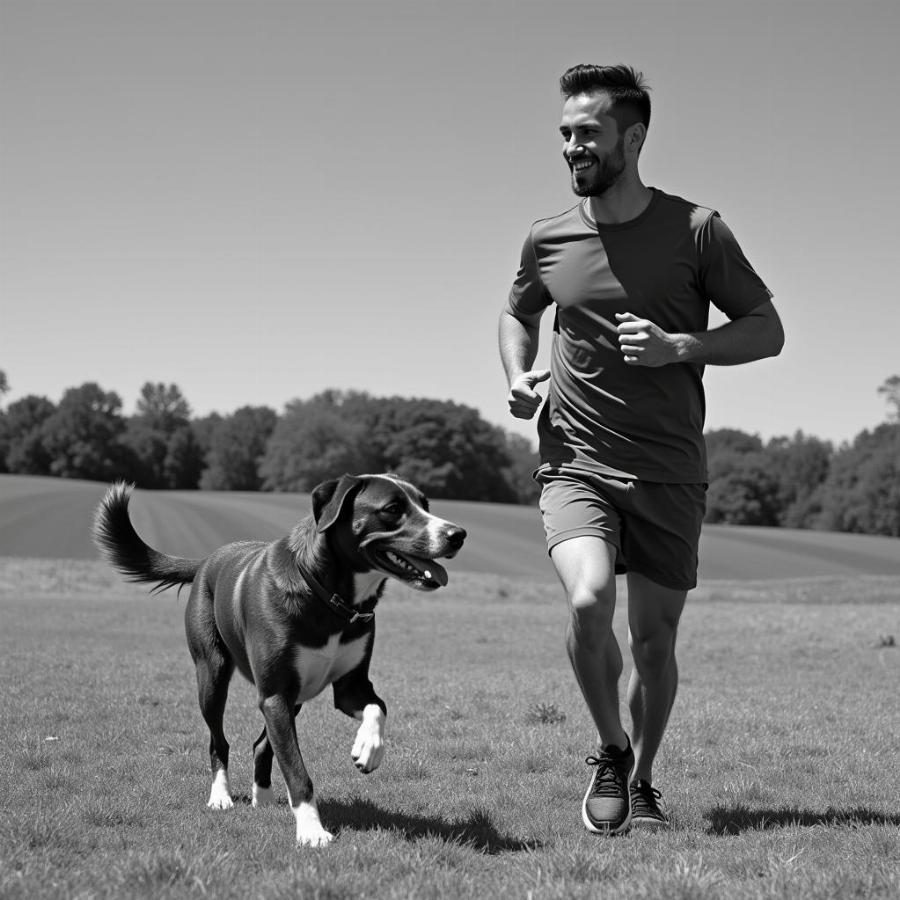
(593, 148)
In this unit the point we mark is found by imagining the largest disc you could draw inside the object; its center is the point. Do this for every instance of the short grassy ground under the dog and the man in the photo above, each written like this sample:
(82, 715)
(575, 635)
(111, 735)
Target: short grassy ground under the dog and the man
(780, 763)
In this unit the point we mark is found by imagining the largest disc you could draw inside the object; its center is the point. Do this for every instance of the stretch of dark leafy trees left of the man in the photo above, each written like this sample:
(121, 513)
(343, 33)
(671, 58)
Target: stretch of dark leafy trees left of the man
(444, 447)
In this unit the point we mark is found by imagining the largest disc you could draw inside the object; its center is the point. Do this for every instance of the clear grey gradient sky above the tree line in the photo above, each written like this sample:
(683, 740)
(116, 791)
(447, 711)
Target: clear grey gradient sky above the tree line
(260, 200)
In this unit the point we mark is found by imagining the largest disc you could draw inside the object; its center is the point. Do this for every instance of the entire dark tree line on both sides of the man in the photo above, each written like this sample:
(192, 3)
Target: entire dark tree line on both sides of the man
(445, 447)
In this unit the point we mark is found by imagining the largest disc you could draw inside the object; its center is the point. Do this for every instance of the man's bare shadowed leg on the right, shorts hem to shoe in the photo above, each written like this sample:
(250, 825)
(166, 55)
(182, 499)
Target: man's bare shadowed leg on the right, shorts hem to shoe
(653, 615)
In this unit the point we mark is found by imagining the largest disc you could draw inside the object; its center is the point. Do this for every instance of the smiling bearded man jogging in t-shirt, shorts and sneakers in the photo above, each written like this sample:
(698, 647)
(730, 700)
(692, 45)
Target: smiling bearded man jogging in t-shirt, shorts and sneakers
(631, 271)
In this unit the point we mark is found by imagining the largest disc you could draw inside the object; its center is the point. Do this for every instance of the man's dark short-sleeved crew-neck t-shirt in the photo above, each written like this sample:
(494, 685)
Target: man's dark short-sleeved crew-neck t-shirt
(667, 265)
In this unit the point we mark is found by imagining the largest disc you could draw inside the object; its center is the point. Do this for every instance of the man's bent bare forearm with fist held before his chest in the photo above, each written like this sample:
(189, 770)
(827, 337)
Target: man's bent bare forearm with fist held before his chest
(757, 335)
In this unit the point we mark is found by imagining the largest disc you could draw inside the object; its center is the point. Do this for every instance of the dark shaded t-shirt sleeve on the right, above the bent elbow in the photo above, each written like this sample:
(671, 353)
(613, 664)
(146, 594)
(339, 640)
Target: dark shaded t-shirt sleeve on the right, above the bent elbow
(728, 280)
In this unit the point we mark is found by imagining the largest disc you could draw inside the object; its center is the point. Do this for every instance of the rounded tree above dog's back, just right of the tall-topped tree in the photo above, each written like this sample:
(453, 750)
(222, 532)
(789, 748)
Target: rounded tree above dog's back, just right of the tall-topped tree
(237, 448)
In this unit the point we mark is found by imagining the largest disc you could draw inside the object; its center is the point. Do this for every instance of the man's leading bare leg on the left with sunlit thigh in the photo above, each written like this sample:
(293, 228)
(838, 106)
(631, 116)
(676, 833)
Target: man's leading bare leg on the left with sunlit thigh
(586, 567)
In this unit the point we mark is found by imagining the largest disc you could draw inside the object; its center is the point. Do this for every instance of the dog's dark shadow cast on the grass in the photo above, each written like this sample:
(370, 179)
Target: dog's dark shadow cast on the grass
(476, 830)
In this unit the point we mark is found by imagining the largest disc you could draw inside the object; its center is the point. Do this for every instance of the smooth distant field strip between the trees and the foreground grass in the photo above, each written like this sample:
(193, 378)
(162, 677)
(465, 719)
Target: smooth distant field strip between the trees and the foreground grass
(50, 518)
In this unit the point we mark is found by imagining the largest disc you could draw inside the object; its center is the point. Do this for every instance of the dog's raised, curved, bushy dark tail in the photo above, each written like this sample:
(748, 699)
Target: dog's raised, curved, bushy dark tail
(122, 547)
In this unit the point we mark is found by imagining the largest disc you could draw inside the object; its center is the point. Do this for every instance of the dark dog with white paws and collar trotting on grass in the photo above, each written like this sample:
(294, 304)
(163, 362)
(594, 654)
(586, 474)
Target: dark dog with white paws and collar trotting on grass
(293, 616)
